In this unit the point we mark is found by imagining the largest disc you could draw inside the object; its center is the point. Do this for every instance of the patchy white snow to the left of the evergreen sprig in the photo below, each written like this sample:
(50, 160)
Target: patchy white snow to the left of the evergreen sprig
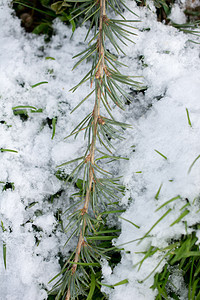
(33, 236)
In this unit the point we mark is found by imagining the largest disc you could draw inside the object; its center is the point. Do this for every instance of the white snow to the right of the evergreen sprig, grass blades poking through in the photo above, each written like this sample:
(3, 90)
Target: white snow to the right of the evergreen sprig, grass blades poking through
(172, 75)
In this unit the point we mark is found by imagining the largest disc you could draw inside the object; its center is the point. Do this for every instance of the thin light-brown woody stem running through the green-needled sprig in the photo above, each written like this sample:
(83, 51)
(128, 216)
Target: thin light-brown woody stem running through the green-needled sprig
(96, 111)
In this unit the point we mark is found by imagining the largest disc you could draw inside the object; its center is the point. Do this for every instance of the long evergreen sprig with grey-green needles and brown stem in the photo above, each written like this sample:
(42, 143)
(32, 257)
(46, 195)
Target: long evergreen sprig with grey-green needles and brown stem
(100, 191)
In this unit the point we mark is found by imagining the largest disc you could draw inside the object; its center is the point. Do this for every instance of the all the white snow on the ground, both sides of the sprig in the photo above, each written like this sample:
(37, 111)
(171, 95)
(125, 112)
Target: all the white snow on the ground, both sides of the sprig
(169, 64)
